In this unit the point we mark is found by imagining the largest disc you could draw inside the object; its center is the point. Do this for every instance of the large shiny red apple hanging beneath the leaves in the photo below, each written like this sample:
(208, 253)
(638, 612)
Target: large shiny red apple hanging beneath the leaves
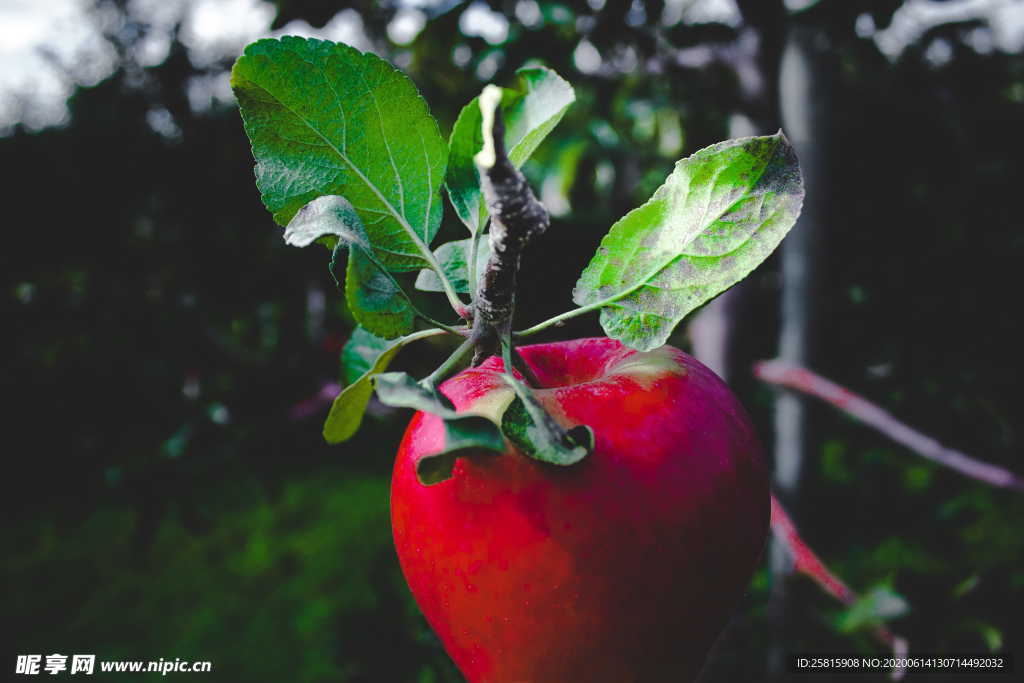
(623, 568)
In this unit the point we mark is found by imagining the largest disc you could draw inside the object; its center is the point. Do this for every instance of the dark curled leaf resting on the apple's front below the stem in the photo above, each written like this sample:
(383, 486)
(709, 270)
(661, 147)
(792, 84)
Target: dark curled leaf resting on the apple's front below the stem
(534, 432)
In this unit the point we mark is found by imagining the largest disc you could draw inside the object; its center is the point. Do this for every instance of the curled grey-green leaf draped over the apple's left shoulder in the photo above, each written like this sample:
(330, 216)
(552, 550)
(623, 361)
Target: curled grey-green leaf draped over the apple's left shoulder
(465, 435)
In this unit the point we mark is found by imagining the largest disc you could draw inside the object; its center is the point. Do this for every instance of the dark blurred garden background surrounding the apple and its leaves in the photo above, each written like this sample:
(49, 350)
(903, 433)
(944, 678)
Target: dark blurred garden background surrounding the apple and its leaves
(163, 498)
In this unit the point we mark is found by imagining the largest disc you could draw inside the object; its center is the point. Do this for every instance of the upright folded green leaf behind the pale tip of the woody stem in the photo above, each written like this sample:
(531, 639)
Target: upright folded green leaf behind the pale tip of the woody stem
(530, 113)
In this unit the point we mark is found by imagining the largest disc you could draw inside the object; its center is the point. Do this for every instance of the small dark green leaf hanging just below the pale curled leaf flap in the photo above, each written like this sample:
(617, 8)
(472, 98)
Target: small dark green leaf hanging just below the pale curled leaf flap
(377, 303)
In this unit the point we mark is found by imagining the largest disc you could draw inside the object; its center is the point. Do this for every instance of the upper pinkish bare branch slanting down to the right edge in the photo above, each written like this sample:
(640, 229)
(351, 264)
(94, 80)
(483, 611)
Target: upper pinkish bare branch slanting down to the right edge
(801, 379)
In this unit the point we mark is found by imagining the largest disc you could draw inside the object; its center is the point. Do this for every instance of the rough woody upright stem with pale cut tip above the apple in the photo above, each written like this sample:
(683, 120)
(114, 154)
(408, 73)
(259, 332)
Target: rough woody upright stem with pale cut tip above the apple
(517, 218)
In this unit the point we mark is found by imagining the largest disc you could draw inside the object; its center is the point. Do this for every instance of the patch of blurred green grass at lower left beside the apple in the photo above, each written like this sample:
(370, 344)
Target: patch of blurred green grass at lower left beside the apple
(269, 580)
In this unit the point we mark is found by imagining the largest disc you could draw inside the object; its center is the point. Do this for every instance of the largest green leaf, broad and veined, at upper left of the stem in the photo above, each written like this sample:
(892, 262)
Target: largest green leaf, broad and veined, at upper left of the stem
(326, 119)
